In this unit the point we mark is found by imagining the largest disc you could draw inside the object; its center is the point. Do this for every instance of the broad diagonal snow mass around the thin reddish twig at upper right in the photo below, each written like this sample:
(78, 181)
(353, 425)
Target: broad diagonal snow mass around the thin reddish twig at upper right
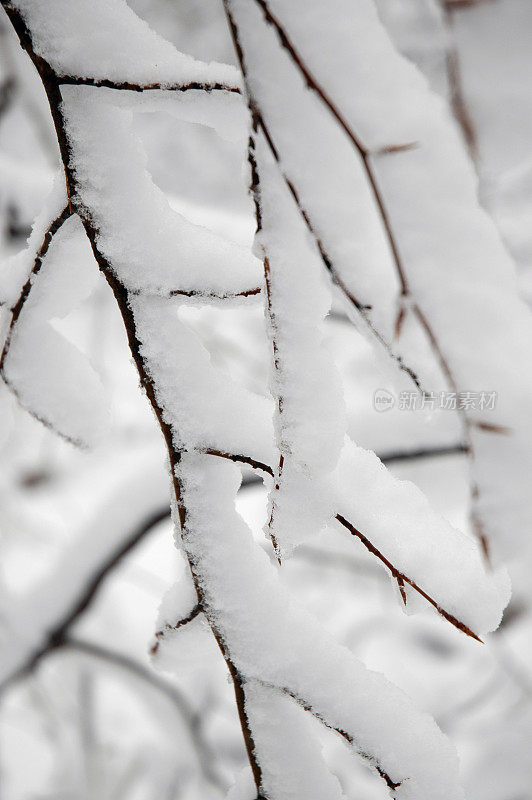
(386, 155)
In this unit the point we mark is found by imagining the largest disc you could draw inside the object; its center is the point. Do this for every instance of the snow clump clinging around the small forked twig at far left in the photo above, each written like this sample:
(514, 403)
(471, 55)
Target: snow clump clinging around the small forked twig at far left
(50, 376)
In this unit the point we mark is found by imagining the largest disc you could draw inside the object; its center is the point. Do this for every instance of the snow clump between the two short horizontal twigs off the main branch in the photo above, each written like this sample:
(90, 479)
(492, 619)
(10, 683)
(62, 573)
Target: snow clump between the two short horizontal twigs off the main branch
(151, 247)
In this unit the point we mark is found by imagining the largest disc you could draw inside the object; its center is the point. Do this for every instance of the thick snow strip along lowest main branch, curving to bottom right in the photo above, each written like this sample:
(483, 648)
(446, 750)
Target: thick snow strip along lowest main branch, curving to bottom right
(271, 640)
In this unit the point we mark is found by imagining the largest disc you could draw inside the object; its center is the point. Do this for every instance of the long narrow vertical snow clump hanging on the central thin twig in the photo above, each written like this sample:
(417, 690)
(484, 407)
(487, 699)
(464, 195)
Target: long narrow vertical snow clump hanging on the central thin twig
(310, 417)
